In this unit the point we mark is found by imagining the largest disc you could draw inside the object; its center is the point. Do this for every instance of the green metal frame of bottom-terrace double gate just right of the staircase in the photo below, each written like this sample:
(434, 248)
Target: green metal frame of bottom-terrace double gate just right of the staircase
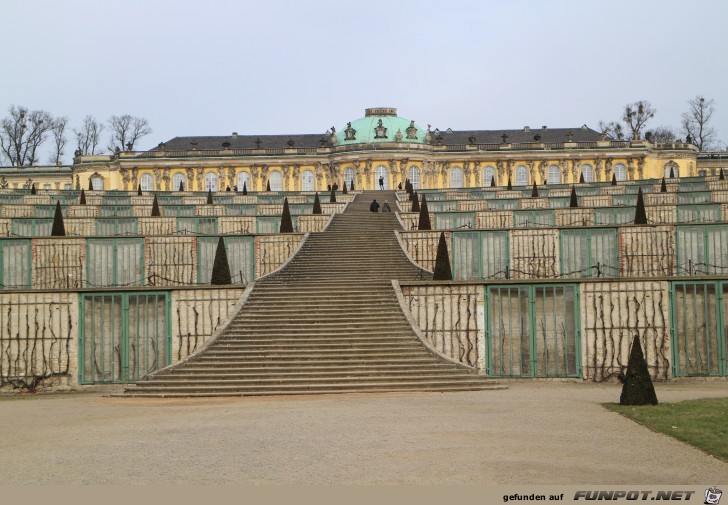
(533, 343)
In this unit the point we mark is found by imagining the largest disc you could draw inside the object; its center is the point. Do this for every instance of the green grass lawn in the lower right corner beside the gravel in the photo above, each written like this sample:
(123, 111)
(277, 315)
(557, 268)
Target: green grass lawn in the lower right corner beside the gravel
(701, 423)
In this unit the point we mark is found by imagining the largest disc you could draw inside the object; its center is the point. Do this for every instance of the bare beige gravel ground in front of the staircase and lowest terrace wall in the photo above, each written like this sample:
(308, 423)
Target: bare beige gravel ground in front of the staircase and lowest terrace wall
(532, 433)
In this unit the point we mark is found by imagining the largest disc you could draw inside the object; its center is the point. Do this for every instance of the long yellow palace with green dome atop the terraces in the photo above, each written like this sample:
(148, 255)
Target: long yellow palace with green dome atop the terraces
(382, 145)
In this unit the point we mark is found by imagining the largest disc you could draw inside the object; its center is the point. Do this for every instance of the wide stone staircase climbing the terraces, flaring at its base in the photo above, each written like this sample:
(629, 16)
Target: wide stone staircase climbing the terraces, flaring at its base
(329, 322)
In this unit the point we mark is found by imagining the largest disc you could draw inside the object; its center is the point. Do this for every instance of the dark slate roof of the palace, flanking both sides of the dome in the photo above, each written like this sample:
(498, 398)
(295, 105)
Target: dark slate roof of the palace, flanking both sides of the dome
(580, 134)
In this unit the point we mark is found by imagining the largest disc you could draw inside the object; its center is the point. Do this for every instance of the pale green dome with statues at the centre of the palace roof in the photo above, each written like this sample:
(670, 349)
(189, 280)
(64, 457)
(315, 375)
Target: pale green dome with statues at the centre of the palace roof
(366, 128)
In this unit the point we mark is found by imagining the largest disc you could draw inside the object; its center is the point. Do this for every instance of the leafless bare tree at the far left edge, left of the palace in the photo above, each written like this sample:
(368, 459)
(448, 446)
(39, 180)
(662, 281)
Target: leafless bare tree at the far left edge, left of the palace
(22, 133)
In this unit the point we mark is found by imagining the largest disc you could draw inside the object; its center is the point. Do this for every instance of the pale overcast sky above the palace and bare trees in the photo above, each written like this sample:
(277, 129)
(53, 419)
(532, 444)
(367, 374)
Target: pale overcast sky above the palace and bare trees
(275, 67)
